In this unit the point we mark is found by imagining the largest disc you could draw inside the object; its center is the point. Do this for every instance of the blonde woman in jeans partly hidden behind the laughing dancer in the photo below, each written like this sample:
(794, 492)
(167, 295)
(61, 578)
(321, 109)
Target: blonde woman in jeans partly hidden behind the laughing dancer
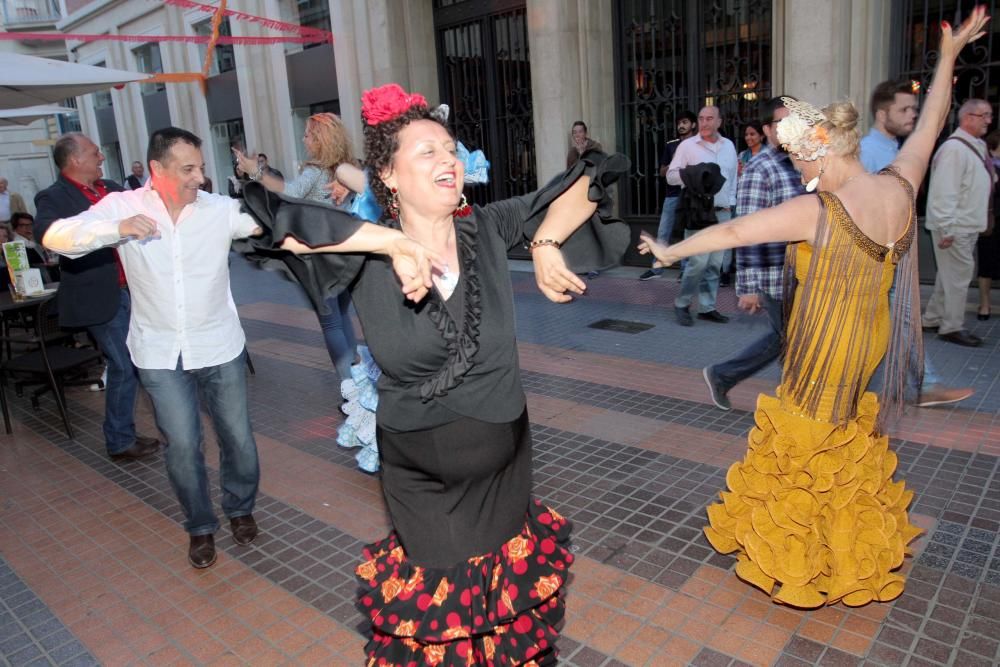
(327, 147)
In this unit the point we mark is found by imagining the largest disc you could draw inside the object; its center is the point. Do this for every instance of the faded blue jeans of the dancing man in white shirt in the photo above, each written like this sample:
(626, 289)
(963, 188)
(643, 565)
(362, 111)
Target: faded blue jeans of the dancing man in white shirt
(223, 389)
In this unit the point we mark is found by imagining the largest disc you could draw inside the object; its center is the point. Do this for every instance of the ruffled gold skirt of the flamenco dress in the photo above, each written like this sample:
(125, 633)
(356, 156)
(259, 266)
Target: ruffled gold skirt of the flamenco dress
(812, 512)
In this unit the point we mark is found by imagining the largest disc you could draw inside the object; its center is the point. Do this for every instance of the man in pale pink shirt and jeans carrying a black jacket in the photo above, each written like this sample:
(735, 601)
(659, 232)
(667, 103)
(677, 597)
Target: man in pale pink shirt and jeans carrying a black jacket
(701, 275)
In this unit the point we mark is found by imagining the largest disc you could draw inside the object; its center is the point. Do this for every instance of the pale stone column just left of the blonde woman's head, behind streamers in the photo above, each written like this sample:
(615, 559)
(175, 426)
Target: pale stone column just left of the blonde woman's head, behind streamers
(264, 96)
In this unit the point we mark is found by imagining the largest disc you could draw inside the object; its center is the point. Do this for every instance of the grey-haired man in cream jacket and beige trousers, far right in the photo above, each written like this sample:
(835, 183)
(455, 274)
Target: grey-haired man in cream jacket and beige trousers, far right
(958, 209)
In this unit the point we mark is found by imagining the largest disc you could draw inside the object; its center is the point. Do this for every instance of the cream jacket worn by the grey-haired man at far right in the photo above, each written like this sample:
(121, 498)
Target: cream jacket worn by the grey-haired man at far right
(958, 197)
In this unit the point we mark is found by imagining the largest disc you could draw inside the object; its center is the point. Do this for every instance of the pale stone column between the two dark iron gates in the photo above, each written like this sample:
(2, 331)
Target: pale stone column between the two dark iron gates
(572, 76)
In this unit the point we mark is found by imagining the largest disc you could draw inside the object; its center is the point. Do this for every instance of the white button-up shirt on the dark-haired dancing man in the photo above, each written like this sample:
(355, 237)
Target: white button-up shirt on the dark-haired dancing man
(179, 283)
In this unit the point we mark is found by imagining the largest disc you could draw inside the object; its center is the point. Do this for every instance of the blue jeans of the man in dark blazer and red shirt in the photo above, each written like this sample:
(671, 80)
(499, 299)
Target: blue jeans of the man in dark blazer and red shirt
(123, 381)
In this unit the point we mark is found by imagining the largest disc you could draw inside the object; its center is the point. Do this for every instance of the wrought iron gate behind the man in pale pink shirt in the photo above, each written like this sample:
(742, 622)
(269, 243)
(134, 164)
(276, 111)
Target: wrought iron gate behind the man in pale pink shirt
(677, 55)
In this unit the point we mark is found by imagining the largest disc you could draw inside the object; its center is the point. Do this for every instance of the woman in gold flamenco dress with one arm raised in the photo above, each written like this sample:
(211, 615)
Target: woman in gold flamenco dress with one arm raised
(812, 512)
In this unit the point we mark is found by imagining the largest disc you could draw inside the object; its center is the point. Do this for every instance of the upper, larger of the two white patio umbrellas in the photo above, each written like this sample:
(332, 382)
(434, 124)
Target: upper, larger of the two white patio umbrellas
(29, 81)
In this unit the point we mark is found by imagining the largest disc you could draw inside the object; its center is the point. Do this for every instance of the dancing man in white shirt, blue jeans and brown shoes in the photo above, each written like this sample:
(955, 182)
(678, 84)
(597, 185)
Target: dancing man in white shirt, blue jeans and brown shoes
(185, 336)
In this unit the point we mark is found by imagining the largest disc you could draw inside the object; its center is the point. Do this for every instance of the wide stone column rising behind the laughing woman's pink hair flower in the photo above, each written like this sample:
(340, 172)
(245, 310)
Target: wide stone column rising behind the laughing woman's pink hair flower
(378, 42)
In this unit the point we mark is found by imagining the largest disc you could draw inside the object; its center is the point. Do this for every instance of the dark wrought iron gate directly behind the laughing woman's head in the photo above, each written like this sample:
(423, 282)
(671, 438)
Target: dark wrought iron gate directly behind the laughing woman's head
(485, 78)
